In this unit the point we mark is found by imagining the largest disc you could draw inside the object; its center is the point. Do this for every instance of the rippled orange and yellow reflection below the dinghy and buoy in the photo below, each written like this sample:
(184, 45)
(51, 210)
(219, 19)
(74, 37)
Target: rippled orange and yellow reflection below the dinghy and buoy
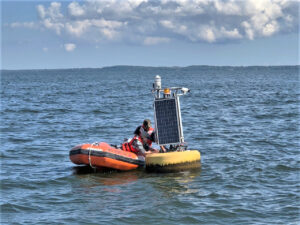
(110, 180)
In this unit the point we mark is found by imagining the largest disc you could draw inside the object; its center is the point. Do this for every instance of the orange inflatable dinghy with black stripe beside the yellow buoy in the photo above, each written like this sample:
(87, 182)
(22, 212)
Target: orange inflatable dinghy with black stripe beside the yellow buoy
(102, 155)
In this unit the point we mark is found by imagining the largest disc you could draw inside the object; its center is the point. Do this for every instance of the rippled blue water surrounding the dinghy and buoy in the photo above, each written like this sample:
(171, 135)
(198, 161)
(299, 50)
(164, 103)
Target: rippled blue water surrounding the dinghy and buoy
(243, 120)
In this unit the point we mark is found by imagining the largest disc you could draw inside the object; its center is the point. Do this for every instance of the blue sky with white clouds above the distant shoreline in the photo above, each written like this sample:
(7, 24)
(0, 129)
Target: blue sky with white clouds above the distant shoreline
(94, 34)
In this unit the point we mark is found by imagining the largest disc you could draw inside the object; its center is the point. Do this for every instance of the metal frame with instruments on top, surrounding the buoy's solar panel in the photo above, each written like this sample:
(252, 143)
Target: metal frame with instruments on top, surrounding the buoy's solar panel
(161, 94)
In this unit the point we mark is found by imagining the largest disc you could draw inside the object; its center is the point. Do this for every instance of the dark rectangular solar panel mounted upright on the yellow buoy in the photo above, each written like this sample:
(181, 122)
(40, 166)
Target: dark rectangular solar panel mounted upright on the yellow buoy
(166, 121)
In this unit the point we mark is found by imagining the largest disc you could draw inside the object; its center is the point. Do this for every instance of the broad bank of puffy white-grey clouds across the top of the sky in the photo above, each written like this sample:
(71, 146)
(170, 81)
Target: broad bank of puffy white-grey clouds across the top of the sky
(161, 21)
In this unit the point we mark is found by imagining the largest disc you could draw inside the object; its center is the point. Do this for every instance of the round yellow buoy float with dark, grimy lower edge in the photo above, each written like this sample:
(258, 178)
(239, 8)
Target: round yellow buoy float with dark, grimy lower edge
(173, 161)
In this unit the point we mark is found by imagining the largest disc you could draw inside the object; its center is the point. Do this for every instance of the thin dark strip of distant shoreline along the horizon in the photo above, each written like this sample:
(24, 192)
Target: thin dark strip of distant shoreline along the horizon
(151, 67)
